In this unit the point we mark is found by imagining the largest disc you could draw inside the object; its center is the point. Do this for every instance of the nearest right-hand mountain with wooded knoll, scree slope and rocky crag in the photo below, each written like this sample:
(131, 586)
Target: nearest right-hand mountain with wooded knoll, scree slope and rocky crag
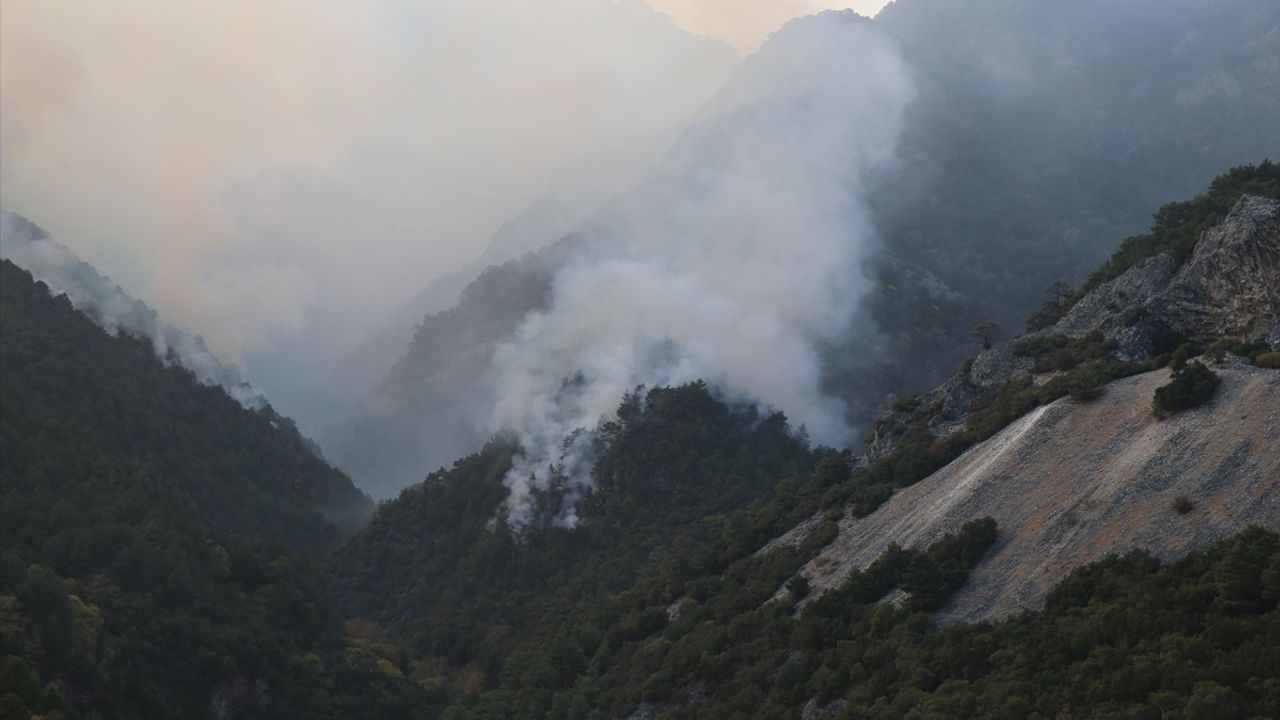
(1080, 523)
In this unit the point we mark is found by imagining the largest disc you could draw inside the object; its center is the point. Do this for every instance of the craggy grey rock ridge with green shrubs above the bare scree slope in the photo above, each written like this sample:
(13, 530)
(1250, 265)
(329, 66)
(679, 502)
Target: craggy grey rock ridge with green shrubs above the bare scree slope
(1208, 271)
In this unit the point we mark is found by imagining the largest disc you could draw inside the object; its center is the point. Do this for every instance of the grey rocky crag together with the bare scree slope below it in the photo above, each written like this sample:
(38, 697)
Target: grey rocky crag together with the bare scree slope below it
(1078, 480)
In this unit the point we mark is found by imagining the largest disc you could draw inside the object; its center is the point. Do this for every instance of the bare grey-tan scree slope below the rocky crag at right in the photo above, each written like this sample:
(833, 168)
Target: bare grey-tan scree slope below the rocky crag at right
(1073, 482)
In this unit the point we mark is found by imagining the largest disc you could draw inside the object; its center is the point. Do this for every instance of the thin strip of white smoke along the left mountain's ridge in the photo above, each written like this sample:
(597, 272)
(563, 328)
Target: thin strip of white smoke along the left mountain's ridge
(116, 311)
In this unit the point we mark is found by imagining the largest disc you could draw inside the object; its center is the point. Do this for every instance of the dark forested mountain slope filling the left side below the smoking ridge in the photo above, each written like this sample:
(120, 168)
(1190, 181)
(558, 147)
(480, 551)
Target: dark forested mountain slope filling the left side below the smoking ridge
(161, 540)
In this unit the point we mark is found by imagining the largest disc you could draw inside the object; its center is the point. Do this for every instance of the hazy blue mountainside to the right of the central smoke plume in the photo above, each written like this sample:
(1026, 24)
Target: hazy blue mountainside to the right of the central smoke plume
(1043, 134)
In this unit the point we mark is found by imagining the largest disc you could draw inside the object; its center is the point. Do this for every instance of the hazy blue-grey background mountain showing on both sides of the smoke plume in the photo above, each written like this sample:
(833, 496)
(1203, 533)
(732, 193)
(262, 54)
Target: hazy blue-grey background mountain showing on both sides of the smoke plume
(1028, 153)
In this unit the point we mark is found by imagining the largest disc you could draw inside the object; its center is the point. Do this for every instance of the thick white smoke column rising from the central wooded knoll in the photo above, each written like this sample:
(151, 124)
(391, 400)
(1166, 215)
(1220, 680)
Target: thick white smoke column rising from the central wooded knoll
(730, 266)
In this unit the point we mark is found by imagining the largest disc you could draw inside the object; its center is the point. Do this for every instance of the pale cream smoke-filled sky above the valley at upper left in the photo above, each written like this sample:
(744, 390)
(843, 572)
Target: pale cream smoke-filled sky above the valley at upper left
(255, 167)
